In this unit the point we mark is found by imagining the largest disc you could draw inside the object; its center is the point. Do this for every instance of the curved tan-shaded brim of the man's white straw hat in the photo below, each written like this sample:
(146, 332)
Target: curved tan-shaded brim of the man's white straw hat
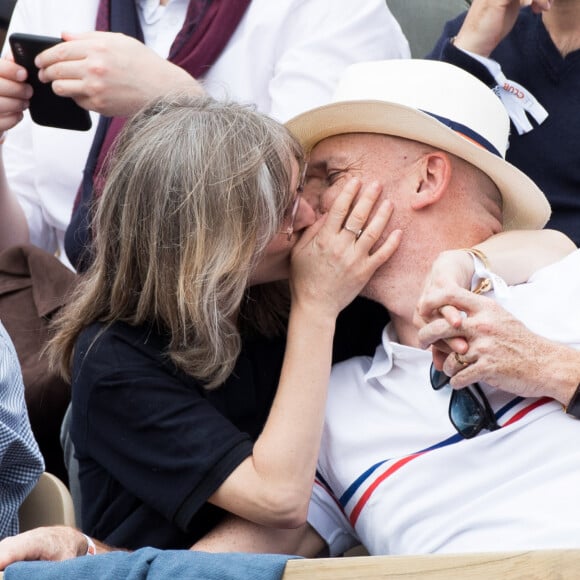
(524, 204)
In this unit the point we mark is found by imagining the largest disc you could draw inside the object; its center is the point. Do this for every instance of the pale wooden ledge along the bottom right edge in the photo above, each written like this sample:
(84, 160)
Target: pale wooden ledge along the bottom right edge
(532, 565)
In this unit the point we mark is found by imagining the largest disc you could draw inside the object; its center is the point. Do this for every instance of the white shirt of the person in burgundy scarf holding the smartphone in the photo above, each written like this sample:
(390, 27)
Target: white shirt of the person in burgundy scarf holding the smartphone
(285, 57)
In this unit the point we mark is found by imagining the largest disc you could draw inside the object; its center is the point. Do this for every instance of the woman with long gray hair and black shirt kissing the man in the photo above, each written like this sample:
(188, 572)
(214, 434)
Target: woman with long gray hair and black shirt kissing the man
(188, 397)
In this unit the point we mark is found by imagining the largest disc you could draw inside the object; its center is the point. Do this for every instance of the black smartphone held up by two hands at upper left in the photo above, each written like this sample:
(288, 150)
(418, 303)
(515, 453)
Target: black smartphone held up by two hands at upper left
(46, 107)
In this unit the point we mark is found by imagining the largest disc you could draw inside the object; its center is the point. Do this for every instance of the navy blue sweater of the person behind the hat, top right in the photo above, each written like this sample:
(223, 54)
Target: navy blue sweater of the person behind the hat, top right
(550, 154)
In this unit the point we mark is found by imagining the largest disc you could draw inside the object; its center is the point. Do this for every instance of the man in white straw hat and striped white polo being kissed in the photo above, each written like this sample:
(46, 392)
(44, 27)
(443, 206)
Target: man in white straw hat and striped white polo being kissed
(408, 465)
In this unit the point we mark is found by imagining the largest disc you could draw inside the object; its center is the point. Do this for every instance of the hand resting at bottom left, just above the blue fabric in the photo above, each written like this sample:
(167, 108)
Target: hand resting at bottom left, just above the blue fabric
(53, 543)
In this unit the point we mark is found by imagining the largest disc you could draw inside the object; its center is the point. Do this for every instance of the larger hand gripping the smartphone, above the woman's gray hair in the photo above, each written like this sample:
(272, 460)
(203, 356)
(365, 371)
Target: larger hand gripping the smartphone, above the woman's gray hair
(110, 73)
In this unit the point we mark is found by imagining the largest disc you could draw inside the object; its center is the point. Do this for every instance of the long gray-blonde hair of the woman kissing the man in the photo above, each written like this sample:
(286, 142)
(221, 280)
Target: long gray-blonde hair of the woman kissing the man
(195, 190)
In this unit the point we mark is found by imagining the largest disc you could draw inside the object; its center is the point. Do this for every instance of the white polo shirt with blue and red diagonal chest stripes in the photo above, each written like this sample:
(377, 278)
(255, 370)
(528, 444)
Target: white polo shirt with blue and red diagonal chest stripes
(396, 476)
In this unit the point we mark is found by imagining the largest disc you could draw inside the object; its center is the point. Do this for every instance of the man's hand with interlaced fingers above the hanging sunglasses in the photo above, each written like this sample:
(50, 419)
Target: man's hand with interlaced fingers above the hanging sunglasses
(501, 351)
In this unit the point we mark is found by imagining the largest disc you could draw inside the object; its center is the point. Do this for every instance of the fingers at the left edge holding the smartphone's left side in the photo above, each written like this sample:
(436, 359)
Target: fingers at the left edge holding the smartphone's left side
(15, 93)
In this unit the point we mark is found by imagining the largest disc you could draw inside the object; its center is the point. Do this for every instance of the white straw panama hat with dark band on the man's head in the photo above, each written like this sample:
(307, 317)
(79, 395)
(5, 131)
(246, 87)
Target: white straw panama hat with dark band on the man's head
(437, 104)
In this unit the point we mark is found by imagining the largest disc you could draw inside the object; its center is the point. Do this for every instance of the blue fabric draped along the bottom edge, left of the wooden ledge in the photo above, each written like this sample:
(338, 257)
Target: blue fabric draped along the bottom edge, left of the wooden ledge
(153, 564)
